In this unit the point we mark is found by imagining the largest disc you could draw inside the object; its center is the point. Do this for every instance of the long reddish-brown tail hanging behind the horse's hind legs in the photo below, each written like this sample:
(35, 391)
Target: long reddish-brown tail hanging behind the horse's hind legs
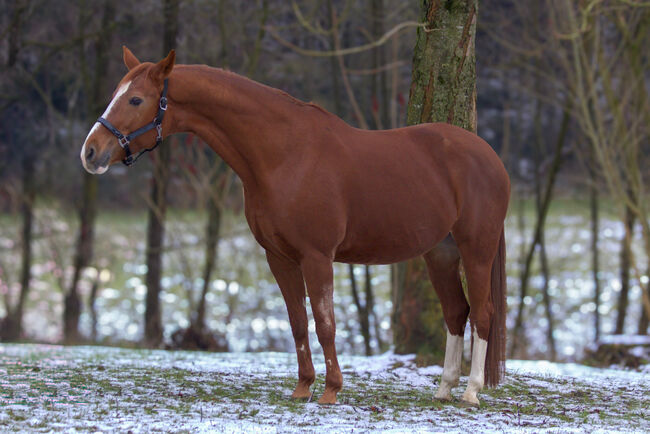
(495, 360)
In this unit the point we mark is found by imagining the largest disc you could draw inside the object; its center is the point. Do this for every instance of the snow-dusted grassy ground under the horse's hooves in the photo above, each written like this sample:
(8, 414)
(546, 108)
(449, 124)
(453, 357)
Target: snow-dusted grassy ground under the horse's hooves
(53, 388)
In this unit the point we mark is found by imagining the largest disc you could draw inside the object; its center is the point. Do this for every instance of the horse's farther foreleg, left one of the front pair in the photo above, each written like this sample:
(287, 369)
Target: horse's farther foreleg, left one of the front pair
(292, 285)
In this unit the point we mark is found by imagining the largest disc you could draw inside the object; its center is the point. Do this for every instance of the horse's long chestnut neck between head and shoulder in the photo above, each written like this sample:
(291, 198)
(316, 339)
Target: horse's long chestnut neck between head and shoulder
(243, 121)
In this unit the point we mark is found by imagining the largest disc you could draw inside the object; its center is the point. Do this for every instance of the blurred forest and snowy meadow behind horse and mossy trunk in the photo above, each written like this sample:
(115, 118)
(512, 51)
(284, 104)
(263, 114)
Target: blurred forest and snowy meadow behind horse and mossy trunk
(160, 255)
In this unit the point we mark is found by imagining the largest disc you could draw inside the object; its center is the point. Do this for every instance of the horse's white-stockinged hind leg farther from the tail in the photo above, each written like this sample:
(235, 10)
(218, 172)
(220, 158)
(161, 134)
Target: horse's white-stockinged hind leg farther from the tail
(442, 264)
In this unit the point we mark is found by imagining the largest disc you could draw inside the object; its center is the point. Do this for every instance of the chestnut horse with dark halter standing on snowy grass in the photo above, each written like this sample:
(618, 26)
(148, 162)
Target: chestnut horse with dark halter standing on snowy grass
(318, 190)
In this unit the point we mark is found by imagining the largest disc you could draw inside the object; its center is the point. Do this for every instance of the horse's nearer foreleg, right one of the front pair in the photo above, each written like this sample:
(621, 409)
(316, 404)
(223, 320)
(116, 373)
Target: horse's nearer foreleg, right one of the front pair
(319, 278)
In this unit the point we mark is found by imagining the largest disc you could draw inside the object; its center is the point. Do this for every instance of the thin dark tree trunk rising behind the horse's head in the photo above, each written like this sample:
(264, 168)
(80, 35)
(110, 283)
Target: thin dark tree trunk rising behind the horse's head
(156, 229)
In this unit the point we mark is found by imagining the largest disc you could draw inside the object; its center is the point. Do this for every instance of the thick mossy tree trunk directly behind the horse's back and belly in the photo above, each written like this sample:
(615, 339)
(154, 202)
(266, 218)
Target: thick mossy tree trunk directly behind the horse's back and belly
(443, 89)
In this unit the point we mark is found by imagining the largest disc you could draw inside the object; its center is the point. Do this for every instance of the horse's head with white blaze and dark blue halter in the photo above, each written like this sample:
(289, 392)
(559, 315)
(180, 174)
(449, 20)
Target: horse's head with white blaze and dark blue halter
(131, 122)
